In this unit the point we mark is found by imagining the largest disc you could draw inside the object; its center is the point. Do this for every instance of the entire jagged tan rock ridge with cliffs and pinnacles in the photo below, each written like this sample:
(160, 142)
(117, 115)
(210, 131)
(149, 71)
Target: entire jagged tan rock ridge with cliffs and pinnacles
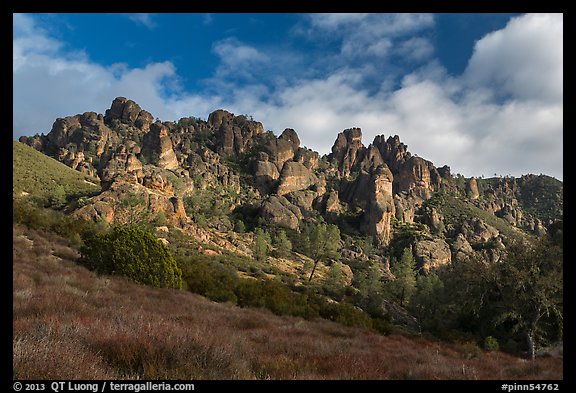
(228, 165)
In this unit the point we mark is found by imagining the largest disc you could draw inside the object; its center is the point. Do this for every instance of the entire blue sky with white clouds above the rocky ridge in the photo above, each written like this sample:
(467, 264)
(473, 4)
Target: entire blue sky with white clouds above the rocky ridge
(482, 93)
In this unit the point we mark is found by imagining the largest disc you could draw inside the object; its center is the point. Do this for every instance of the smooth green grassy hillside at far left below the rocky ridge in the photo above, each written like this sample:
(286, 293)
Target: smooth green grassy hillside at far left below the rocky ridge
(38, 175)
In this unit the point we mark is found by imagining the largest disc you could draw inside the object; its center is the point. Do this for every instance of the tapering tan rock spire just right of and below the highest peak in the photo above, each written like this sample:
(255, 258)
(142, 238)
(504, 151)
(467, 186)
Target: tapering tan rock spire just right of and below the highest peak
(157, 147)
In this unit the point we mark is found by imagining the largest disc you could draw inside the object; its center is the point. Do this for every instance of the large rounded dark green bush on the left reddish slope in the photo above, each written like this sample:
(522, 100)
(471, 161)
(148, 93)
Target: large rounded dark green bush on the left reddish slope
(132, 252)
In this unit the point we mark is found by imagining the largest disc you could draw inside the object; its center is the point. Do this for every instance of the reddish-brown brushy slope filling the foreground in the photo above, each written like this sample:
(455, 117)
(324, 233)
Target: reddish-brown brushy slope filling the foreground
(71, 324)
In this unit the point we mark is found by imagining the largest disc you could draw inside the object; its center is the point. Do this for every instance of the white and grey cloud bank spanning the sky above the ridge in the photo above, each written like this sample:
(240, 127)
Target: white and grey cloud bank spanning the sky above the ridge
(503, 115)
